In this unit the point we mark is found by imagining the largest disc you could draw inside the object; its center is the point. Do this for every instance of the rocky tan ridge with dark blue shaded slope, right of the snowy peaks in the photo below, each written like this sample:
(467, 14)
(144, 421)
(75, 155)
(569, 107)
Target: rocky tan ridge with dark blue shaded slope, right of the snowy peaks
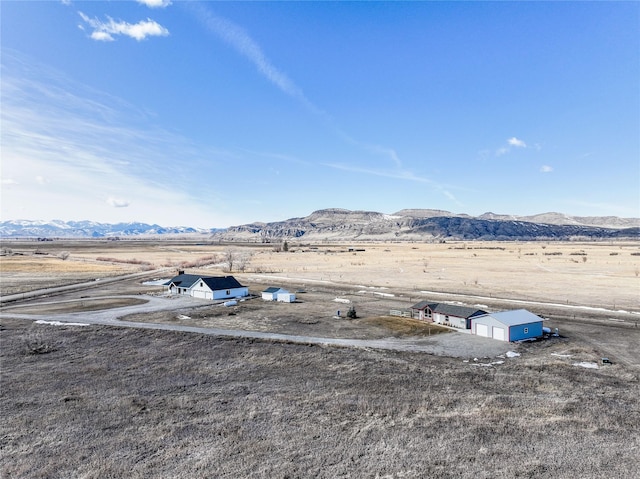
(335, 224)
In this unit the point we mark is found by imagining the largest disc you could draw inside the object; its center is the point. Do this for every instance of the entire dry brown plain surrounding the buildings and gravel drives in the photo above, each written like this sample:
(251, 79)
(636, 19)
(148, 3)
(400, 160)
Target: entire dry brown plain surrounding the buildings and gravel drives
(100, 401)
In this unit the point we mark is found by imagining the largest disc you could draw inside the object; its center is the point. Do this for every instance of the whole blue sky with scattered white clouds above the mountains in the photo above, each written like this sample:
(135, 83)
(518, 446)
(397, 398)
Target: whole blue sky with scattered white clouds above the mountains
(214, 114)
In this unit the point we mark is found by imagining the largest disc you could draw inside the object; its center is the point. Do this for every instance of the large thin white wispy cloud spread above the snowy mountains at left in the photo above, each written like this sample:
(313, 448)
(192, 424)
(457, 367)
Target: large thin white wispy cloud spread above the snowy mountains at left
(74, 152)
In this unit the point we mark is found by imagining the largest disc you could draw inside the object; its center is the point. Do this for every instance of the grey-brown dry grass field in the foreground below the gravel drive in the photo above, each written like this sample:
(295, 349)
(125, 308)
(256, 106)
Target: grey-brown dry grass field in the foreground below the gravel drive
(111, 402)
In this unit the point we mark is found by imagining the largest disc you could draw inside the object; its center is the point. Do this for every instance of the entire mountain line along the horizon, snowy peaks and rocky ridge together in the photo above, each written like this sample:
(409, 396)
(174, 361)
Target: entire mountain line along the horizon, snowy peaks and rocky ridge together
(336, 224)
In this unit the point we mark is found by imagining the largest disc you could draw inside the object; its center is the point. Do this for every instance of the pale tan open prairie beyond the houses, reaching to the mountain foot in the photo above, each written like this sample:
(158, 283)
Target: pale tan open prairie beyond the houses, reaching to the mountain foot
(596, 274)
